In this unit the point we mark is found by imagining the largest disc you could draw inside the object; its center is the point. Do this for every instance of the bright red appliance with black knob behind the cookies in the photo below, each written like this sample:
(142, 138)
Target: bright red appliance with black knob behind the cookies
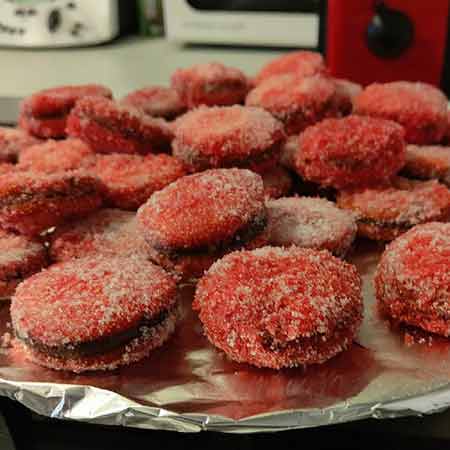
(370, 40)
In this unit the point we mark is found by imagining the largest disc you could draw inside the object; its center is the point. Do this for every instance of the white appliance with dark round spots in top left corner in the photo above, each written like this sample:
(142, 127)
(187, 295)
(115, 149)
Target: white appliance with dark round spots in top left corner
(57, 23)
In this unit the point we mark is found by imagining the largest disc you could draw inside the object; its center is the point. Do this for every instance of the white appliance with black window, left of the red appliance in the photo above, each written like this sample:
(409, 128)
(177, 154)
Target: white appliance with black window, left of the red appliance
(294, 23)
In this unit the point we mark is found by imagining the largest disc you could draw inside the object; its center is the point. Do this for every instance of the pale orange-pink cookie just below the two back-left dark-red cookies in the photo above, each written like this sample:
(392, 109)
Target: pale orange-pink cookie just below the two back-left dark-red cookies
(55, 156)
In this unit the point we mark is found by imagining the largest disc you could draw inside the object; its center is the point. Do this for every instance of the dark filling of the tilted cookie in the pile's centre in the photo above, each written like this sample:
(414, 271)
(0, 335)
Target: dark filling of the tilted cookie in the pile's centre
(243, 235)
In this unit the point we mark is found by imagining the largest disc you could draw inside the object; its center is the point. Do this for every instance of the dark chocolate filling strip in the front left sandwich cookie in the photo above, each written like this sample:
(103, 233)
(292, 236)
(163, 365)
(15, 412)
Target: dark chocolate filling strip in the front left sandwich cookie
(97, 346)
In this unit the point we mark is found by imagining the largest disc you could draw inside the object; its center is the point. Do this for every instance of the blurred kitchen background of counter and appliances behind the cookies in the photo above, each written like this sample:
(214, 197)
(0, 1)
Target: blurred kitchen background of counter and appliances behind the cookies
(363, 40)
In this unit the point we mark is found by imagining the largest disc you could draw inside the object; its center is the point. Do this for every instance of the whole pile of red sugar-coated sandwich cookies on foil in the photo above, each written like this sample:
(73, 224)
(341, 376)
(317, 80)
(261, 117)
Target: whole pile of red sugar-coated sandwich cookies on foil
(253, 188)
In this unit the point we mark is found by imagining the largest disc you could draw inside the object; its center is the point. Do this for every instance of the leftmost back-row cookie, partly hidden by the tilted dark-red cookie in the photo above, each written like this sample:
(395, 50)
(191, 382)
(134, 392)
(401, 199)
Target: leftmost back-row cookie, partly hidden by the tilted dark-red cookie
(44, 113)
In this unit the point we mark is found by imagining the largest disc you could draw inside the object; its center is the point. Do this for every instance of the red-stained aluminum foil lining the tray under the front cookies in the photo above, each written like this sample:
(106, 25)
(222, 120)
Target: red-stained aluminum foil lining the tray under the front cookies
(190, 386)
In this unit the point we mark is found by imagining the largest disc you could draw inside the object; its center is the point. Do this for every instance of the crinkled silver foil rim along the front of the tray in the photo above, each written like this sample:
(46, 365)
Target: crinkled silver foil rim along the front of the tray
(99, 406)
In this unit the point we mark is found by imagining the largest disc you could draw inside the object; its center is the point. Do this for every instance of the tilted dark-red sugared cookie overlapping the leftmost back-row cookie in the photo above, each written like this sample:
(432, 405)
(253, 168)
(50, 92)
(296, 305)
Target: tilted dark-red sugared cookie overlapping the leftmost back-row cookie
(109, 127)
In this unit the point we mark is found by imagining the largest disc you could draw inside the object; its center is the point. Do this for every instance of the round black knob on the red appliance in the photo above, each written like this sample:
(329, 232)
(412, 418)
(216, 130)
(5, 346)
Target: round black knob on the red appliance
(390, 32)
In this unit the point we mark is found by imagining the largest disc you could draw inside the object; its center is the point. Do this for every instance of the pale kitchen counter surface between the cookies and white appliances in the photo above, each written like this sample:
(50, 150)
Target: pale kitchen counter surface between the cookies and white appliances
(123, 65)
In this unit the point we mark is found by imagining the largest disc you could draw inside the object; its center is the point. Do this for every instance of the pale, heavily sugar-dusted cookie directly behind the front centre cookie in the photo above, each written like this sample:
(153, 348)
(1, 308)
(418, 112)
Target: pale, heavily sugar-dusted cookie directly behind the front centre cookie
(310, 222)
